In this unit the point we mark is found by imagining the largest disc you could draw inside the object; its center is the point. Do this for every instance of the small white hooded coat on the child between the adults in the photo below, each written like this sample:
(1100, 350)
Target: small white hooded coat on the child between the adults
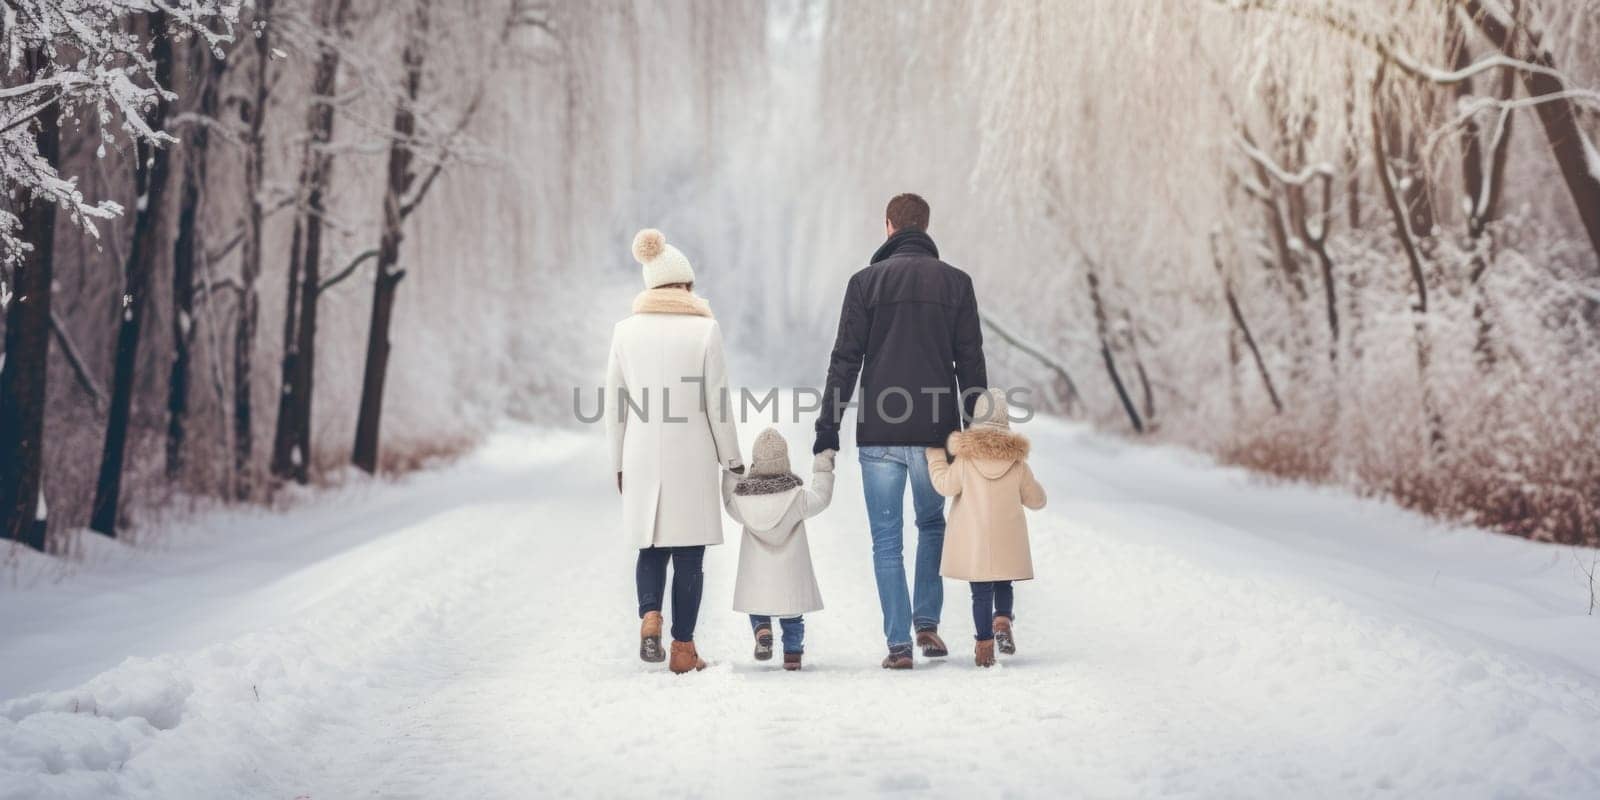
(775, 558)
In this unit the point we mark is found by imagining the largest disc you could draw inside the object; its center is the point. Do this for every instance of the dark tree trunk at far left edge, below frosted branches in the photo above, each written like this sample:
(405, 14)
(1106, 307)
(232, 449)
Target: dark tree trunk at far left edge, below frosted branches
(26, 364)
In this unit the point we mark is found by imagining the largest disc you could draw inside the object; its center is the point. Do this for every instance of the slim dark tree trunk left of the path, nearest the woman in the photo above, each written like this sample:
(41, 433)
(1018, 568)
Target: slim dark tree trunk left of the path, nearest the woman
(390, 276)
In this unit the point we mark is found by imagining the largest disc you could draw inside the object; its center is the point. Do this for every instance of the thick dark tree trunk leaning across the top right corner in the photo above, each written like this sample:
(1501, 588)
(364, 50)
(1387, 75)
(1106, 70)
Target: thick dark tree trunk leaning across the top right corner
(1559, 116)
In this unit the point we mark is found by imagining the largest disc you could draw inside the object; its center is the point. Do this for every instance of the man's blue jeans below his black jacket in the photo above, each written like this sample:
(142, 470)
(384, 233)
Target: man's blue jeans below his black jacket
(884, 474)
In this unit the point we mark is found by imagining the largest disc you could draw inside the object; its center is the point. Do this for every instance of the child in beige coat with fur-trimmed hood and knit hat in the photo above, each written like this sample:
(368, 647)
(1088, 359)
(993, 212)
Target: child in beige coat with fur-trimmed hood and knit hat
(986, 537)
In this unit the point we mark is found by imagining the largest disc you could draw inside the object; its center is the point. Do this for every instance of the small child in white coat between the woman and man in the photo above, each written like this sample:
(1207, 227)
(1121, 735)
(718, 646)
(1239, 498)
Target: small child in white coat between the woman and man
(775, 561)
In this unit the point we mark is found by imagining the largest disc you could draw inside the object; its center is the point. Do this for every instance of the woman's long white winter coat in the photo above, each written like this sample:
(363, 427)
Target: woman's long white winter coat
(676, 431)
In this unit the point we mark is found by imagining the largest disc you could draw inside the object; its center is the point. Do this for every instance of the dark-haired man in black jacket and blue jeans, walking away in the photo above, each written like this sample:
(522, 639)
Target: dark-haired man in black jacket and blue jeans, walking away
(910, 330)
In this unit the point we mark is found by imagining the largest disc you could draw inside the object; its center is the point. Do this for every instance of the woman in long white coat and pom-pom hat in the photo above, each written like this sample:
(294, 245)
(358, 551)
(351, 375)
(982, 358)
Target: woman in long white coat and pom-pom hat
(671, 430)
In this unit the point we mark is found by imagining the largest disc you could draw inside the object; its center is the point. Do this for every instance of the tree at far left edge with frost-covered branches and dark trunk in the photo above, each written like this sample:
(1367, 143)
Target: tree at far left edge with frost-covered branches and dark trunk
(68, 63)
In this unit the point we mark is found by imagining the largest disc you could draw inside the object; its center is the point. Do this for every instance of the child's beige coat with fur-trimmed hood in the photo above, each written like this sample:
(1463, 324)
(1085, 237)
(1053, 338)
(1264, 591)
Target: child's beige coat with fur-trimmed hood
(986, 537)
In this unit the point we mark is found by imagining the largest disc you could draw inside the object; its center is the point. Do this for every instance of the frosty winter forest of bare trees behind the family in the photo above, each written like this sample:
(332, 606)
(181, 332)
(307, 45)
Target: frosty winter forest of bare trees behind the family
(1345, 242)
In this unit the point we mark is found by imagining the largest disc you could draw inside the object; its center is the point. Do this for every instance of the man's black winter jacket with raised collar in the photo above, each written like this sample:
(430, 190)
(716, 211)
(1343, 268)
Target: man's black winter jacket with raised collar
(910, 329)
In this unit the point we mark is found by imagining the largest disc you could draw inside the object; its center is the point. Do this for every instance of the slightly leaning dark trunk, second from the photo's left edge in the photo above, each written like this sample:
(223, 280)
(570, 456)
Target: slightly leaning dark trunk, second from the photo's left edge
(151, 174)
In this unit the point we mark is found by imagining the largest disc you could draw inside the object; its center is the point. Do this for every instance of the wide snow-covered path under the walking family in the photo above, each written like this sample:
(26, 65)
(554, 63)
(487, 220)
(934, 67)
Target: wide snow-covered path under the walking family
(470, 633)
